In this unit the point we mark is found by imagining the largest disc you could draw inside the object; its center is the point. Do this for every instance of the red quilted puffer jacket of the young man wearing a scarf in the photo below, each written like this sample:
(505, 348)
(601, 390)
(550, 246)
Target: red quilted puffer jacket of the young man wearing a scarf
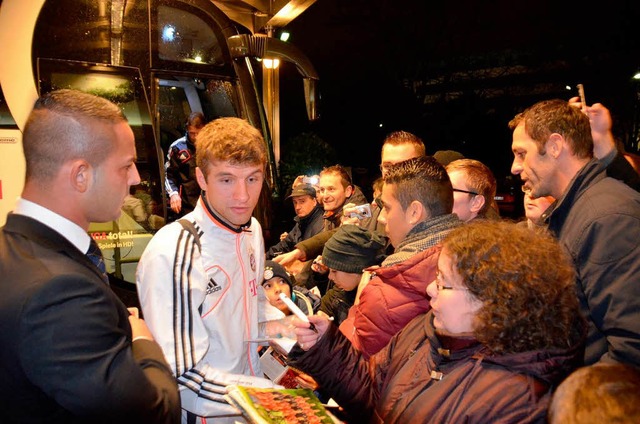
(394, 297)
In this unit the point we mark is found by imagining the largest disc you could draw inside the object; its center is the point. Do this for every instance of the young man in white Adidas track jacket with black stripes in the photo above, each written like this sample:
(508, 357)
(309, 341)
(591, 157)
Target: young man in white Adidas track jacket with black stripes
(198, 284)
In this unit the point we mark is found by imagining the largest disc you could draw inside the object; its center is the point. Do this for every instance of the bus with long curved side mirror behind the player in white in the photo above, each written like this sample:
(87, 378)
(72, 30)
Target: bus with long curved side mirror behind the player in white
(159, 60)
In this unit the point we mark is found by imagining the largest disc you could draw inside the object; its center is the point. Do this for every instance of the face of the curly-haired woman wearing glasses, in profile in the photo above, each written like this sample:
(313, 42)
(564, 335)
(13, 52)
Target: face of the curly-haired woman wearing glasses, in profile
(454, 308)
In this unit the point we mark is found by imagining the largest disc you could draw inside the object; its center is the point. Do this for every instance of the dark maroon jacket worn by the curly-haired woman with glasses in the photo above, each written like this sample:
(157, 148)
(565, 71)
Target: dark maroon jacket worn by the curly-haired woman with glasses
(423, 377)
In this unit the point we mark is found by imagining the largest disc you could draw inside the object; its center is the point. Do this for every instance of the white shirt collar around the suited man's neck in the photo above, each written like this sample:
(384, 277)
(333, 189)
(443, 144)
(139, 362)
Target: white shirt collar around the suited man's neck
(69, 230)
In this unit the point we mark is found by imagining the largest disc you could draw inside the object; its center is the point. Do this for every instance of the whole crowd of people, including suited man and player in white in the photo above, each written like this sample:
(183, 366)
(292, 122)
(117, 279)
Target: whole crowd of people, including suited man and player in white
(421, 304)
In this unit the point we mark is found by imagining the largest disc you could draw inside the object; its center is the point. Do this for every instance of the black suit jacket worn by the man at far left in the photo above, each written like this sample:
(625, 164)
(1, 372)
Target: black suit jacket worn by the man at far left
(67, 354)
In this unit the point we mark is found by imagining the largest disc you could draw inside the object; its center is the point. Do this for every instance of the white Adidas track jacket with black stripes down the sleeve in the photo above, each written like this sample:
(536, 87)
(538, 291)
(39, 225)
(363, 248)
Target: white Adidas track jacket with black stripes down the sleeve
(202, 307)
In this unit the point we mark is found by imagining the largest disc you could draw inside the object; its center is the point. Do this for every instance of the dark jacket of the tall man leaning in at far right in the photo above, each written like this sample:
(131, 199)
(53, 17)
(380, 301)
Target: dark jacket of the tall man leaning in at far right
(598, 221)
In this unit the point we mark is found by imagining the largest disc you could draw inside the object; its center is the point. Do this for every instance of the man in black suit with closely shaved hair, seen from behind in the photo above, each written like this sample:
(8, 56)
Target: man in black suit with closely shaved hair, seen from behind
(70, 350)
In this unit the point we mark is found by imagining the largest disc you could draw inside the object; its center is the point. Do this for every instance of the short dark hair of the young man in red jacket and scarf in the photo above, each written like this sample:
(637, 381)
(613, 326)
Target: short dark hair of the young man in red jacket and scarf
(422, 179)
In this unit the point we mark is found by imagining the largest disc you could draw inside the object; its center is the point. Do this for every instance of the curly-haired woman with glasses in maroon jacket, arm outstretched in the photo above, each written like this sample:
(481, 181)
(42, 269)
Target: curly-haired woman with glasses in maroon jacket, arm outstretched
(503, 331)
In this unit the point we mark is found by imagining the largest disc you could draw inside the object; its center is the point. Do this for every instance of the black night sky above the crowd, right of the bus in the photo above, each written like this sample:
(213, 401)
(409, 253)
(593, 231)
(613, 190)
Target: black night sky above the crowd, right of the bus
(368, 52)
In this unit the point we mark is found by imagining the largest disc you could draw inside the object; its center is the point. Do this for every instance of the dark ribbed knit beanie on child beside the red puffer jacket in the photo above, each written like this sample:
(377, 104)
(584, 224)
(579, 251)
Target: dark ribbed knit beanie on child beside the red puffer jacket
(352, 249)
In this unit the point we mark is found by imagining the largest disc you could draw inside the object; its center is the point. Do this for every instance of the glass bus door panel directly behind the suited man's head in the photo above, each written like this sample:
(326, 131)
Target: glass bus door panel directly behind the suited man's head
(123, 241)
